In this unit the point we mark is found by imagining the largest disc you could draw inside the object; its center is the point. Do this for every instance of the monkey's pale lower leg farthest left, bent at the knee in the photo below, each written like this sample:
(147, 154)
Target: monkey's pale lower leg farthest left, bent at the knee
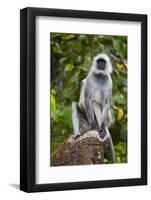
(75, 120)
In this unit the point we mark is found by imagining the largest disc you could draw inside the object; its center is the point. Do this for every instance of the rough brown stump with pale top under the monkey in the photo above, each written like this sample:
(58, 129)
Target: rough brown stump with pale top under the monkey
(86, 149)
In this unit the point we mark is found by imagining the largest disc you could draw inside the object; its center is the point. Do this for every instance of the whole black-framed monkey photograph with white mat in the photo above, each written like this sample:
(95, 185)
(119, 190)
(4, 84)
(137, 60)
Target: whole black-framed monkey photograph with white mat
(83, 99)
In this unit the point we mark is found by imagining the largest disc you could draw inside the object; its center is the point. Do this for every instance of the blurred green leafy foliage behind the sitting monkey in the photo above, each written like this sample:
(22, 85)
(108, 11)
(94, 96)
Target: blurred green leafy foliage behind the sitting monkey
(71, 57)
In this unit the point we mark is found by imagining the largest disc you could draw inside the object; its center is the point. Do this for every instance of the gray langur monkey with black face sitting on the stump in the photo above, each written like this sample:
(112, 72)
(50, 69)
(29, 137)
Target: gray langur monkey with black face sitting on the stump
(92, 112)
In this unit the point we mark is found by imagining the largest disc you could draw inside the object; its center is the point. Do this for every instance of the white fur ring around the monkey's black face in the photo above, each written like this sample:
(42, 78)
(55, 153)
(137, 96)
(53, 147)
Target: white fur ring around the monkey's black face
(108, 69)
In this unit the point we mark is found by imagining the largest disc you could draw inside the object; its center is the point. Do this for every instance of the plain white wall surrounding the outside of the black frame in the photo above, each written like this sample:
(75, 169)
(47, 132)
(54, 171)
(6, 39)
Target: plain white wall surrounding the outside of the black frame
(9, 101)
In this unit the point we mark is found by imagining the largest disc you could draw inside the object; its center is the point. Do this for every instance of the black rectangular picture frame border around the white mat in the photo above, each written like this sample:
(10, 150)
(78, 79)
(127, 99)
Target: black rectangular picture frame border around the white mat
(28, 99)
